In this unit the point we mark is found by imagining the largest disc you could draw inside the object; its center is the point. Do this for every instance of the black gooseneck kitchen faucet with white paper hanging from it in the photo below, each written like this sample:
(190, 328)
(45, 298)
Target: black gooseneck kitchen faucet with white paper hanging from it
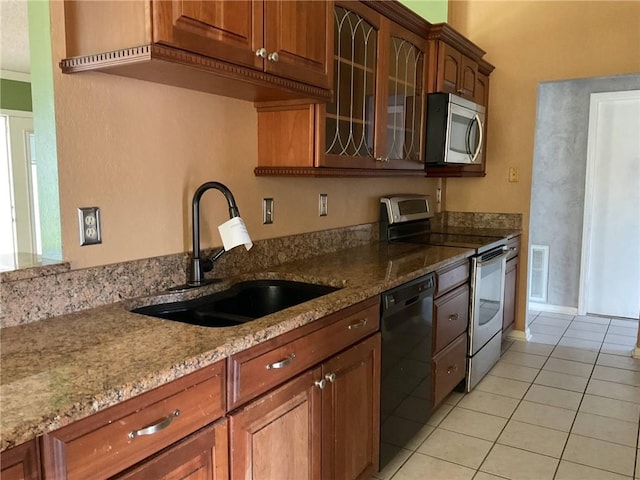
(199, 266)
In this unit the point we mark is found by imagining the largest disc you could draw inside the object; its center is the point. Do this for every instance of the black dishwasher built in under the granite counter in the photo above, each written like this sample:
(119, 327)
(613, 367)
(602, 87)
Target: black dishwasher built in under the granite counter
(406, 384)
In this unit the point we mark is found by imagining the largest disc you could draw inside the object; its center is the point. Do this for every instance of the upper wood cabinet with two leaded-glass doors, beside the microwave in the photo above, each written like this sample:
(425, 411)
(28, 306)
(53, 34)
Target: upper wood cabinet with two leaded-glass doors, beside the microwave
(375, 123)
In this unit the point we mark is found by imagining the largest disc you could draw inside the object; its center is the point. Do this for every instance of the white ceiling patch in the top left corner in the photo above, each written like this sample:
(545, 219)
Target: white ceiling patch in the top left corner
(14, 36)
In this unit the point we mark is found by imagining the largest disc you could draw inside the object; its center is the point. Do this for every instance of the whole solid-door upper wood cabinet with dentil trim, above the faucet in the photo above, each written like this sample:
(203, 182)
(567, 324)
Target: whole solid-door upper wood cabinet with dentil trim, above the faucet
(256, 50)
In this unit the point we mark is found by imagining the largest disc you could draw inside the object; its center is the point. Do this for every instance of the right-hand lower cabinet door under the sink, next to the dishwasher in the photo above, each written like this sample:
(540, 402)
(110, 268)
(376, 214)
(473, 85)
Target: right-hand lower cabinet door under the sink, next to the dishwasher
(351, 412)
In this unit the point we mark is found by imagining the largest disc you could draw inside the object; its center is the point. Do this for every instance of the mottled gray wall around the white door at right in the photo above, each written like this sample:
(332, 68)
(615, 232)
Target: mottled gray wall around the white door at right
(559, 169)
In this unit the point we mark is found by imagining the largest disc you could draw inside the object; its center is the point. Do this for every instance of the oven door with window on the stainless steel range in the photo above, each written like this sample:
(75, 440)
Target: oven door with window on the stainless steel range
(488, 298)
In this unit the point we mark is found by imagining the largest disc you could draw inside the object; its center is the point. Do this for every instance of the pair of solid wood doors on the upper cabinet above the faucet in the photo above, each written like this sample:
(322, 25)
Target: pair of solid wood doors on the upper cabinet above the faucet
(290, 39)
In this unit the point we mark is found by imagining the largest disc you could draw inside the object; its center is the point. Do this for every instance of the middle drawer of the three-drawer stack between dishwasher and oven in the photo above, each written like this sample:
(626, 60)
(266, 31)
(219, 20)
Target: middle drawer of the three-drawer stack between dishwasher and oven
(451, 317)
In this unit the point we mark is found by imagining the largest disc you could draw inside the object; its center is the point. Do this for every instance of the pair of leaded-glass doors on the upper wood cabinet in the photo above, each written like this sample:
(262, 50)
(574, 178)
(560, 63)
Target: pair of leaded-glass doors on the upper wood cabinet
(376, 119)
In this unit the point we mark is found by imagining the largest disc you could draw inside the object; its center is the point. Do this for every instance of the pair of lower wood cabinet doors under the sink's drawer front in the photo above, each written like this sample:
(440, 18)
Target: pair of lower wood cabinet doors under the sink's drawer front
(323, 424)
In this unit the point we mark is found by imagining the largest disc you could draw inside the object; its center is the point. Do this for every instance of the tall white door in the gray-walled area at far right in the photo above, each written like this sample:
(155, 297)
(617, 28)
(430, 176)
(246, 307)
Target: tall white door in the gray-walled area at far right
(610, 260)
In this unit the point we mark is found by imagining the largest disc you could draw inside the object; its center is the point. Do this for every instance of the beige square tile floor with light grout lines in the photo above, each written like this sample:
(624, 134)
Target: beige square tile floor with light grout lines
(563, 406)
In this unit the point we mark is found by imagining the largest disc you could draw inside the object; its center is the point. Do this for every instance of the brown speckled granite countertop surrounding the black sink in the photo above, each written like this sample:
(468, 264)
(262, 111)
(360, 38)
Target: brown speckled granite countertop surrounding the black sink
(65, 368)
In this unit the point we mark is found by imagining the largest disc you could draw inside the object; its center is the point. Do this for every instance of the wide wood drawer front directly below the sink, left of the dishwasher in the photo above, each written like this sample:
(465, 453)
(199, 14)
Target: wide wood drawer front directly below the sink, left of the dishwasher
(264, 366)
